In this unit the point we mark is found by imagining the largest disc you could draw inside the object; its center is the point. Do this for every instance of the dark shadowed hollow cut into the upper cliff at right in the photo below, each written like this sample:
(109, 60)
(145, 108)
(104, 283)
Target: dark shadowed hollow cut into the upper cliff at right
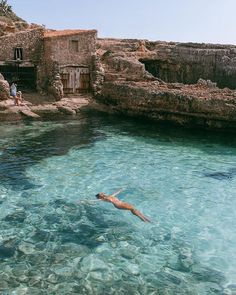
(190, 73)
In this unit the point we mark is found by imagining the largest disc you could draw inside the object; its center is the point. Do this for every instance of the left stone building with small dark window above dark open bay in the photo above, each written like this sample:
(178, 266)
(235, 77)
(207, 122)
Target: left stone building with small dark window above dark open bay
(20, 56)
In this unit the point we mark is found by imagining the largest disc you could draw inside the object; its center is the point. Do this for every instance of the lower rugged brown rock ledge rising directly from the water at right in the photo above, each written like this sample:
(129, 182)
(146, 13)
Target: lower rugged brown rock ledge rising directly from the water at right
(201, 105)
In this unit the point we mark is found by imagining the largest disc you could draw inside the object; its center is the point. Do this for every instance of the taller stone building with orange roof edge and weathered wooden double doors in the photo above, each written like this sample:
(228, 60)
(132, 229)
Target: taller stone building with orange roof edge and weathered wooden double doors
(70, 54)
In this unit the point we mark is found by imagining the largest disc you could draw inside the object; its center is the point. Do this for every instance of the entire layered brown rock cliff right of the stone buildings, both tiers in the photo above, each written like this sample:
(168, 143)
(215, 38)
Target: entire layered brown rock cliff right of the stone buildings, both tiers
(183, 83)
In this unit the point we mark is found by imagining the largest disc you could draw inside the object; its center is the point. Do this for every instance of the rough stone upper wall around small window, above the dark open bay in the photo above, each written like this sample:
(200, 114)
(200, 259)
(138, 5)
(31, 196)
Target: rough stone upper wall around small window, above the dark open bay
(29, 40)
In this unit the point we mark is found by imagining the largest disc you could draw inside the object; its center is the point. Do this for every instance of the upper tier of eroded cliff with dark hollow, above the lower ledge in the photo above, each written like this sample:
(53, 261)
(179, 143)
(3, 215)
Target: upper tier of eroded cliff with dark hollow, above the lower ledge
(171, 62)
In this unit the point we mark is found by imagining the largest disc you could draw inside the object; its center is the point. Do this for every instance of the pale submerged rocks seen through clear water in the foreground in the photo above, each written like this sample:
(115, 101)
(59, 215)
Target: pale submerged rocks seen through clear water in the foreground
(63, 255)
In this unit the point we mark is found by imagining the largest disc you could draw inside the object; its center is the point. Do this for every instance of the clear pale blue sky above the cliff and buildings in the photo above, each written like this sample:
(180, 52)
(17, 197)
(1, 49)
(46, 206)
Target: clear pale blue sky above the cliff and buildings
(202, 21)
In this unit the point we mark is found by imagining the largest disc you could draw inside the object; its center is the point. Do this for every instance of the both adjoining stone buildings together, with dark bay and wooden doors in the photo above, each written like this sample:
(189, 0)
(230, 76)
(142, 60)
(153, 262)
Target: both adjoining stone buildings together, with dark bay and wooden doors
(34, 57)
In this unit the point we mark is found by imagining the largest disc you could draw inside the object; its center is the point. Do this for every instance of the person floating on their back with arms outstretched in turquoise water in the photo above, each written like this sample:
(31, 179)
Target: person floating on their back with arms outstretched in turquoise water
(121, 205)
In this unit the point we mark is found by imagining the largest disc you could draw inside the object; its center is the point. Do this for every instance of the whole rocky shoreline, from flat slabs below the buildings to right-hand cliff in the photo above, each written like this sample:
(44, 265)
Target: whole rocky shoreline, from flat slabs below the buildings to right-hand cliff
(188, 84)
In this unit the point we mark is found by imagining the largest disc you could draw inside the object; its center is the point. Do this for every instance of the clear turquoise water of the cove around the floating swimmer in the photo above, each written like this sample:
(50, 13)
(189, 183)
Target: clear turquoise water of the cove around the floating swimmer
(52, 243)
